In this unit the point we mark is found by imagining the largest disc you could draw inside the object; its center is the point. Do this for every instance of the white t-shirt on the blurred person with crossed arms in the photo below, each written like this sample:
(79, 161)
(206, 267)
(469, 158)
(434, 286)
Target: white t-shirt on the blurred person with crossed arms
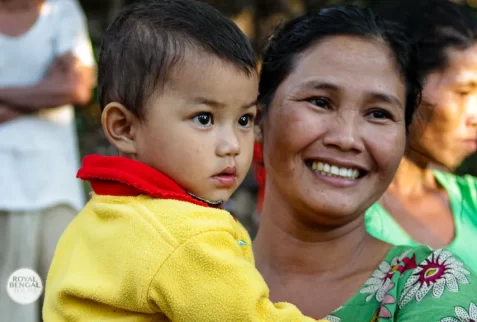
(39, 154)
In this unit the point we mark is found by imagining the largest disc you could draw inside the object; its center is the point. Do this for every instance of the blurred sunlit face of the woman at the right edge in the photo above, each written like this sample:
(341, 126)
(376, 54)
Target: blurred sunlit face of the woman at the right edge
(444, 128)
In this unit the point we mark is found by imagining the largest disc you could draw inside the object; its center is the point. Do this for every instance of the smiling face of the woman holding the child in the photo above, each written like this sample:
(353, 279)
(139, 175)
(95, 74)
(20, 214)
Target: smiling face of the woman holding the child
(335, 132)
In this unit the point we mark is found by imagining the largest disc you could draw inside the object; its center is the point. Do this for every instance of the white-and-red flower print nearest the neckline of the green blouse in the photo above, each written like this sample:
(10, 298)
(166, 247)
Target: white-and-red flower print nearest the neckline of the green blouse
(378, 283)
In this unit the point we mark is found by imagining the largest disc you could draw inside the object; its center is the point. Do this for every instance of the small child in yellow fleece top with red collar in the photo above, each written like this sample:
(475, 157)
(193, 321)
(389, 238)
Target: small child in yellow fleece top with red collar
(178, 89)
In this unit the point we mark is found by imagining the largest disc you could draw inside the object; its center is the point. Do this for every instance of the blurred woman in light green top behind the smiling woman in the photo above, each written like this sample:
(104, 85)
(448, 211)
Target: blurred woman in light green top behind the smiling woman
(424, 205)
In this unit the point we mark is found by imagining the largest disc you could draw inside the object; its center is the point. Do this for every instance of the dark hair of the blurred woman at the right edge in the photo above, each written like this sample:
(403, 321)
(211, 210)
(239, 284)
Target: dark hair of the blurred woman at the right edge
(434, 26)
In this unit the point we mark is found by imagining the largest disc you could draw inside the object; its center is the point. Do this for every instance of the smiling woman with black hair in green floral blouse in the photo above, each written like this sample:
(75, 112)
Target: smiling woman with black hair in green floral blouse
(338, 90)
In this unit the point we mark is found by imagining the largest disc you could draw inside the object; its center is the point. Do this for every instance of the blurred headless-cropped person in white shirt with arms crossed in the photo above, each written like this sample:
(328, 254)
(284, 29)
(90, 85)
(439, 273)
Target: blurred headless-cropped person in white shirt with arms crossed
(46, 67)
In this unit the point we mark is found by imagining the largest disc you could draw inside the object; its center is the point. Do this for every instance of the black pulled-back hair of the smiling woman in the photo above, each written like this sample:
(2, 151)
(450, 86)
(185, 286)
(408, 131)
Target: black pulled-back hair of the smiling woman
(296, 36)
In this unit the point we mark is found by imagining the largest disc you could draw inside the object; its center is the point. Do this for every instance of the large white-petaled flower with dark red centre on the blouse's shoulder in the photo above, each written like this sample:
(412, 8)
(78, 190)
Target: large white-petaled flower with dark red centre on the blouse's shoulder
(439, 271)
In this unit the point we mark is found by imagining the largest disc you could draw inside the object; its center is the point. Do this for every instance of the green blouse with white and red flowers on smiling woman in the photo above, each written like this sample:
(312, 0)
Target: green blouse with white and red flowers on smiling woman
(414, 284)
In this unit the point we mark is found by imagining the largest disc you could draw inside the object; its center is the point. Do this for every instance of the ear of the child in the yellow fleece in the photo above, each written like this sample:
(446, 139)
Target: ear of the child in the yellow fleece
(120, 126)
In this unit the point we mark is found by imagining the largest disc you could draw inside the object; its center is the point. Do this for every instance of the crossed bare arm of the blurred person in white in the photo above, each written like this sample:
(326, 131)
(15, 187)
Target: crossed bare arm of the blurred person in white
(67, 82)
